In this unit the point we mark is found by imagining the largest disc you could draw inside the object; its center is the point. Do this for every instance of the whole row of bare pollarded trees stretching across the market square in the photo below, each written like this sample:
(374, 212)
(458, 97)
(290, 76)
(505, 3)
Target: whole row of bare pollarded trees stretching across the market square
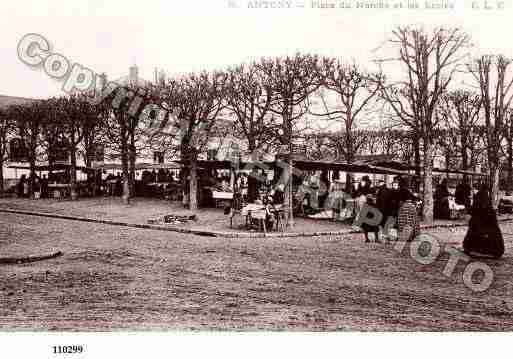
(436, 99)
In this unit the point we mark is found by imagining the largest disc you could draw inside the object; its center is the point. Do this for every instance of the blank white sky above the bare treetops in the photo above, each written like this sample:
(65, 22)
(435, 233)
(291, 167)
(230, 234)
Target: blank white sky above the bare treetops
(182, 36)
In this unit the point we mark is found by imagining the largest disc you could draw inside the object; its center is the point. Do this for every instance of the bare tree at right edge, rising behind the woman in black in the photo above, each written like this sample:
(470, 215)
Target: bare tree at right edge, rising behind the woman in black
(494, 78)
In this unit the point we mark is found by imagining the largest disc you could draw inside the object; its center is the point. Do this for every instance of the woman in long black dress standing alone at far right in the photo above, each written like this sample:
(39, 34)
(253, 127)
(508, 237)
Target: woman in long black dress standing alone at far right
(484, 237)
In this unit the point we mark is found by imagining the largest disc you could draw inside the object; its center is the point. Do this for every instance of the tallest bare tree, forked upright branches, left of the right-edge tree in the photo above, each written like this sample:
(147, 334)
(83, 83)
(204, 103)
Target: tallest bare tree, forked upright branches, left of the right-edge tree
(430, 60)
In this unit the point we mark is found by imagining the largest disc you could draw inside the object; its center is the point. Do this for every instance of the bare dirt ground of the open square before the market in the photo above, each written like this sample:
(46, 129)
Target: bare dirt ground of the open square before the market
(117, 278)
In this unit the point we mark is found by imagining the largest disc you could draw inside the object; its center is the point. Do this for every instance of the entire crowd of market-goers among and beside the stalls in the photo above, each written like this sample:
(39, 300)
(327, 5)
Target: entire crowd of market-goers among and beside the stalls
(398, 206)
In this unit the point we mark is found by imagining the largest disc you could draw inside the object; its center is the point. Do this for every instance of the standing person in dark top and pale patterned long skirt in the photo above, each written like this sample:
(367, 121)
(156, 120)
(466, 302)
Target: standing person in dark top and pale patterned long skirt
(408, 220)
